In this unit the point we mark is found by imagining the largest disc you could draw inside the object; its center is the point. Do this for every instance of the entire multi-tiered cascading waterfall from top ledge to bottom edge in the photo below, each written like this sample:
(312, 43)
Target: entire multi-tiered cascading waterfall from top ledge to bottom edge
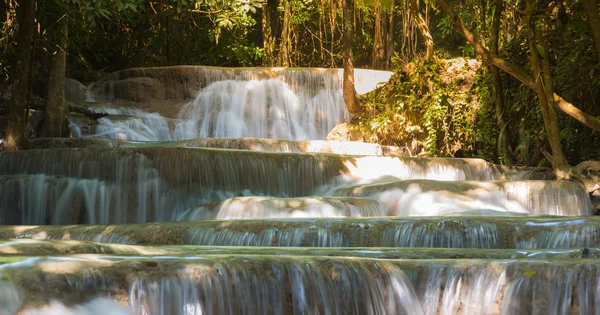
(214, 223)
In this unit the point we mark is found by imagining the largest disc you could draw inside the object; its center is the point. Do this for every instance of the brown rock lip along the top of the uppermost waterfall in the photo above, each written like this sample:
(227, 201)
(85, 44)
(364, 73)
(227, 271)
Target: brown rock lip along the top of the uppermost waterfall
(184, 82)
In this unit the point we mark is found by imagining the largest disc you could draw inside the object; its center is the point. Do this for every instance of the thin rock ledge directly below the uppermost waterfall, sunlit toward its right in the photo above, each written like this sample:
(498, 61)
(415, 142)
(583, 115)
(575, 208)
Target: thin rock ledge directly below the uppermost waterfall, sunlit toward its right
(254, 144)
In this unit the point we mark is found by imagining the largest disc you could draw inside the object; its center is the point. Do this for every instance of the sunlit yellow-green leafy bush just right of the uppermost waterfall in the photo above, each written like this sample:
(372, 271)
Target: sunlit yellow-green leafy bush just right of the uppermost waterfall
(428, 105)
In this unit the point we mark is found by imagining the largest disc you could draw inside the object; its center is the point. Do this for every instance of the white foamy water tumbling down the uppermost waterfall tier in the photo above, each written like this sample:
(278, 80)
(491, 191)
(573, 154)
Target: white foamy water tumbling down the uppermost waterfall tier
(294, 105)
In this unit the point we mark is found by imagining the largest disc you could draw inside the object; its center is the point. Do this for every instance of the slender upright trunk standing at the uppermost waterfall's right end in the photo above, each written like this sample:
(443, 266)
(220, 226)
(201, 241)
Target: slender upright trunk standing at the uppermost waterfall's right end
(350, 96)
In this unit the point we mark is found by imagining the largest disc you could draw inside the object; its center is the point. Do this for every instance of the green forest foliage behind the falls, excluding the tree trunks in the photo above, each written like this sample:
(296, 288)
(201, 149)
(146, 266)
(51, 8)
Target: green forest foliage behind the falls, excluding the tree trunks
(442, 112)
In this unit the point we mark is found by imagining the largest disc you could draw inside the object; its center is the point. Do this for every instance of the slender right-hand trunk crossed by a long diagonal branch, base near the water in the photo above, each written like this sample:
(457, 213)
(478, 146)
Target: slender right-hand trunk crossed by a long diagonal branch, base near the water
(543, 84)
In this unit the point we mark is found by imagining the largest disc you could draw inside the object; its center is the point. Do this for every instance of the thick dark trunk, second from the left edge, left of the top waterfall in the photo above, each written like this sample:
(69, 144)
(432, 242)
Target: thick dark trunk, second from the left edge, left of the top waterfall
(56, 119)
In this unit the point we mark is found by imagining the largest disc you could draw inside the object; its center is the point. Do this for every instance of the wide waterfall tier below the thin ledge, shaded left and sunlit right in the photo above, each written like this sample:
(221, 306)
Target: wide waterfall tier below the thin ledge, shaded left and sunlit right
(155, 183)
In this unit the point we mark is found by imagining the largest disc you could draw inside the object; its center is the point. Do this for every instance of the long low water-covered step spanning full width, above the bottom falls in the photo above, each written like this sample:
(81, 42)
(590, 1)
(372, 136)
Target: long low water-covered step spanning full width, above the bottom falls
(450, 232)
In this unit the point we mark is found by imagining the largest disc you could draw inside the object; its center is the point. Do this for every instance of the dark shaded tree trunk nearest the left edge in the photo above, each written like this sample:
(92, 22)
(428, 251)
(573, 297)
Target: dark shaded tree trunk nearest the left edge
(16, 131)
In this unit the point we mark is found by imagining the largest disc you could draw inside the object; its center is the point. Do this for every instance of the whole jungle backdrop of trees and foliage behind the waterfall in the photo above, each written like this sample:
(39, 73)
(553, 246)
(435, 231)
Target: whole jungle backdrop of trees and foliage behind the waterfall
(533, 99)
